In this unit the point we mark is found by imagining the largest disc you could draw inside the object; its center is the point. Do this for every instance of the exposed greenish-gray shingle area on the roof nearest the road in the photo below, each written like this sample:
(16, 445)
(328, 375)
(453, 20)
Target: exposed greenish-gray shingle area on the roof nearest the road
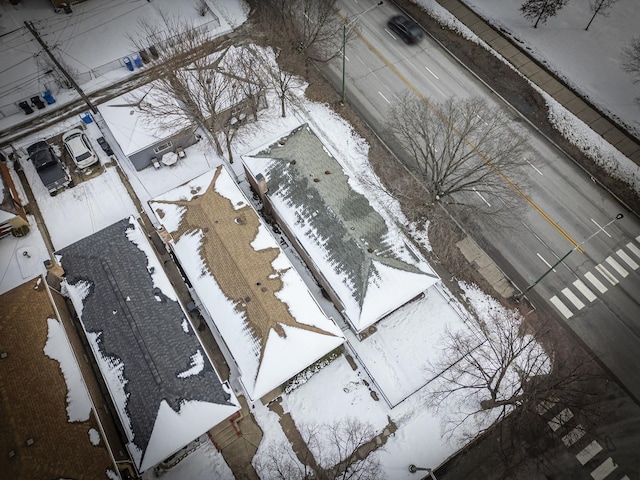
(341, 220)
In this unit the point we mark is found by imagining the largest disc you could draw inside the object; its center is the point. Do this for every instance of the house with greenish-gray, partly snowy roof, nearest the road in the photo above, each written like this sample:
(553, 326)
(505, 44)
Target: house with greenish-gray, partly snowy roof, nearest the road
(367, 267)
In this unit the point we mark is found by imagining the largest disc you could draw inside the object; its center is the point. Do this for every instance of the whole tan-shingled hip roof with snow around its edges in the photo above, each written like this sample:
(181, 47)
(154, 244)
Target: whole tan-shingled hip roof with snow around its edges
(268, 319)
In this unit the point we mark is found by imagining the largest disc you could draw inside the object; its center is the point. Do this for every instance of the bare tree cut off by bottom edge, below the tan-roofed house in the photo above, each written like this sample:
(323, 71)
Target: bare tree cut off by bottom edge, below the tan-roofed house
(331, 451)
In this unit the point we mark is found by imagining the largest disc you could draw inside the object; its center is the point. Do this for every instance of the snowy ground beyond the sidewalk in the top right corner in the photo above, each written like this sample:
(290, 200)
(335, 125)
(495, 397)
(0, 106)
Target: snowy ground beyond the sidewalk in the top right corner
(587, 60)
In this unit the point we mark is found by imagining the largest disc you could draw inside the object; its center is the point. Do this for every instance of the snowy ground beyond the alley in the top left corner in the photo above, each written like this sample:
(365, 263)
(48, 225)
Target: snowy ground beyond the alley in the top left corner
(77, 37)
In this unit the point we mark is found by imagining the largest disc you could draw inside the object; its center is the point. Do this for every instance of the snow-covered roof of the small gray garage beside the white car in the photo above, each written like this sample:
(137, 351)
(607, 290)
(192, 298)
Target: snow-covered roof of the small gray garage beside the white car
(131, 129)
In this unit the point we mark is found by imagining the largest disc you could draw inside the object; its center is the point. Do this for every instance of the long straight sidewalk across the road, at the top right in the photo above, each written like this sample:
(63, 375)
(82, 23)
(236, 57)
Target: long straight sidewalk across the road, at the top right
(536, 73)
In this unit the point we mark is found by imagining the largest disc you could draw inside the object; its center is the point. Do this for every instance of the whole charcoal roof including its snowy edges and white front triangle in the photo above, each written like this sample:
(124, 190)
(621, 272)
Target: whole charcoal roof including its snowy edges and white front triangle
(163, 385)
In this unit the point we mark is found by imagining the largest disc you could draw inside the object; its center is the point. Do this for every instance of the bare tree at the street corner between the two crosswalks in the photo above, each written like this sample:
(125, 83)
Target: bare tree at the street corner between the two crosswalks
(497, 367)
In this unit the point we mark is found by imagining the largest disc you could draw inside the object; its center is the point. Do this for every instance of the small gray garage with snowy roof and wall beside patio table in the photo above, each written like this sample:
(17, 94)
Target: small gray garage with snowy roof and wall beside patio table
(140, 140)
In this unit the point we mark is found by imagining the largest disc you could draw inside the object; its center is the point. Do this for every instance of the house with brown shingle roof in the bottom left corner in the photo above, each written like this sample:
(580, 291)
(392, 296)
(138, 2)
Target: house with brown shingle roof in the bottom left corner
(49, 425)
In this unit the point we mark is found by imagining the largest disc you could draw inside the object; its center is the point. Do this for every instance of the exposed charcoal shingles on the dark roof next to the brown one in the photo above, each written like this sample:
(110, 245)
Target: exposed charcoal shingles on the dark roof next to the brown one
(140, 326)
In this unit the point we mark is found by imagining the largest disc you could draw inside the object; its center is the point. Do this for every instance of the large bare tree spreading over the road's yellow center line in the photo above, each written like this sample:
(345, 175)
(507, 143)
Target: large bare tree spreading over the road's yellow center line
(458, 147)
